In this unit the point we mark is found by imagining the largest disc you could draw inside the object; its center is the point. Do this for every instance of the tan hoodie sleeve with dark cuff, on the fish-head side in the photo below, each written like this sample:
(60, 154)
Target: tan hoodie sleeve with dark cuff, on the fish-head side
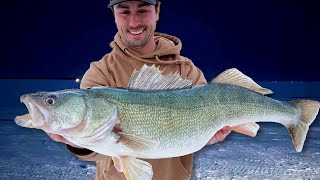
(96, 75)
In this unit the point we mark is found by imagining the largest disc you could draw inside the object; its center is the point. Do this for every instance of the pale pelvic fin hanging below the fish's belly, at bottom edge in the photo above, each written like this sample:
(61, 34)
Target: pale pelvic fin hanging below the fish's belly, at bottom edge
(135, 169)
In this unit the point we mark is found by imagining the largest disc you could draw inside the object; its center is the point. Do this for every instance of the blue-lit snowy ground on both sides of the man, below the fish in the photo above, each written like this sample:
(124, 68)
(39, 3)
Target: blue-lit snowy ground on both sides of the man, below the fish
(31, 154)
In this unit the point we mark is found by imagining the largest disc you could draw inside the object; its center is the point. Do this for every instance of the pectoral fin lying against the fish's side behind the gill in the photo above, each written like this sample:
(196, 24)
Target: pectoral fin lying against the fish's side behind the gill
(136, 143)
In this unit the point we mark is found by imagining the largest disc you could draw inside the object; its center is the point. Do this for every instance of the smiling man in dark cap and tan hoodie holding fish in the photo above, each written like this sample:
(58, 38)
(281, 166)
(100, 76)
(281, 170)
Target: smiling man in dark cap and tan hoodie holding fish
(135, 44)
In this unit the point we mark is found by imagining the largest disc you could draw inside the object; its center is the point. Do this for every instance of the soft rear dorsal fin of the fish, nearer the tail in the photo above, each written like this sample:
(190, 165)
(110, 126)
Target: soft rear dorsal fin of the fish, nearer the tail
(235, 77)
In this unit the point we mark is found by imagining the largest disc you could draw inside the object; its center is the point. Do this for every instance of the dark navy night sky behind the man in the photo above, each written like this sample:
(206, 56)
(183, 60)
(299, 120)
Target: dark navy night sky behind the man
(267, 40)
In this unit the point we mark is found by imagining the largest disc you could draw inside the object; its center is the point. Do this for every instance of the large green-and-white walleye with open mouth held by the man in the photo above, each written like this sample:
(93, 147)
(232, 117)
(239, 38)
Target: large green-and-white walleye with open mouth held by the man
(162, 116)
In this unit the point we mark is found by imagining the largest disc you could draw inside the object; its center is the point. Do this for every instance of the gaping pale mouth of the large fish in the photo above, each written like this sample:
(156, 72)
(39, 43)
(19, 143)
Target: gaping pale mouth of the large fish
(35, 117)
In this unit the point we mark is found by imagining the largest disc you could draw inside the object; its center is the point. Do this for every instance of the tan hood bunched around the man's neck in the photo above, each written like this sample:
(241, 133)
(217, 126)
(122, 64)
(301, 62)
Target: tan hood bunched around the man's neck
(166, 46)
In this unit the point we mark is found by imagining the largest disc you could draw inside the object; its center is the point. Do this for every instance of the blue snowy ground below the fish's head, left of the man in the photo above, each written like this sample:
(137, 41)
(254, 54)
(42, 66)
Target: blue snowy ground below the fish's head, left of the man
(31, 154)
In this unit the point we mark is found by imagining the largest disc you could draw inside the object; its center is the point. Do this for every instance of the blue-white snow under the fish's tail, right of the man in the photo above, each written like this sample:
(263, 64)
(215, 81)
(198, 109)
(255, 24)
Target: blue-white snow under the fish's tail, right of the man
(261, 157)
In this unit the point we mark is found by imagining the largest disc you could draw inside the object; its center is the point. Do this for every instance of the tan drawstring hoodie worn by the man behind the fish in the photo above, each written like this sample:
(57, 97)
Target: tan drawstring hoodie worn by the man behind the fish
(114, 70)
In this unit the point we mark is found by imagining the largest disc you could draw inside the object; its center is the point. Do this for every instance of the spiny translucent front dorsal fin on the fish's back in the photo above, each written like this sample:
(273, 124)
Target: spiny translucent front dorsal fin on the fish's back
(150, 78)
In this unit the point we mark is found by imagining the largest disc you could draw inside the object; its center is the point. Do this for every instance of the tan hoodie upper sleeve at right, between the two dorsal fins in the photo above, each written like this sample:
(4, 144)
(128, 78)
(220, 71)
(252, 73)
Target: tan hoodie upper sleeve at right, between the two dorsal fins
(190, 71)
